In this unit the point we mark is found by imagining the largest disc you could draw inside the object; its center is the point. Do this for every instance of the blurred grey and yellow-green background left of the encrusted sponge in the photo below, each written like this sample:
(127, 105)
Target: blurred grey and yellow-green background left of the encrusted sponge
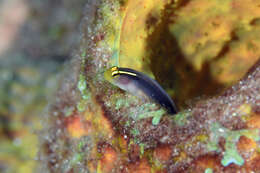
(36, 38)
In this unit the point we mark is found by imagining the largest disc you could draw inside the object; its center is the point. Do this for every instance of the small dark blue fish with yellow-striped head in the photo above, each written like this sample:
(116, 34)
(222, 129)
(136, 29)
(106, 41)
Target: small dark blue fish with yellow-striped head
(140, 85)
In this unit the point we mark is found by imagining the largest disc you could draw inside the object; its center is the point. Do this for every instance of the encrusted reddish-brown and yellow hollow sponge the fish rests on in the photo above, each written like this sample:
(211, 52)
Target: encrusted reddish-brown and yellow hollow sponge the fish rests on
(93, 126)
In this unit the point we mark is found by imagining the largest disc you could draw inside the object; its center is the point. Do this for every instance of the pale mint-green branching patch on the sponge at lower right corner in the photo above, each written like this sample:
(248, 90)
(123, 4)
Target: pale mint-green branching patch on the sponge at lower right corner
(231, 154)
